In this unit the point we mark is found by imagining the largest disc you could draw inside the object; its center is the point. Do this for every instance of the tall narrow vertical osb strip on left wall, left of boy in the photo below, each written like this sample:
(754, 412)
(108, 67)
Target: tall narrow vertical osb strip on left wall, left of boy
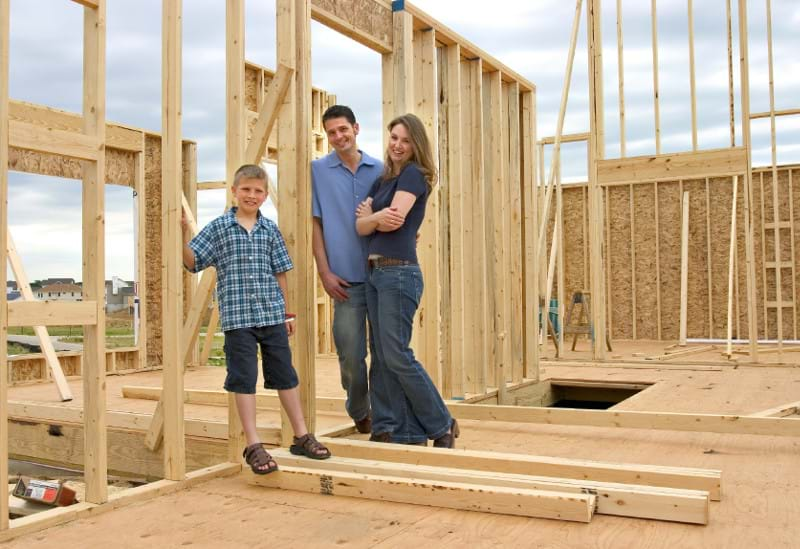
(152, 177)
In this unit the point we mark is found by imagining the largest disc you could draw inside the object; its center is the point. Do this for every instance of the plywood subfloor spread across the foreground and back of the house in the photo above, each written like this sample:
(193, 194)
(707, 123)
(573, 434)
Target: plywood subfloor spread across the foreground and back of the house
(761, 484)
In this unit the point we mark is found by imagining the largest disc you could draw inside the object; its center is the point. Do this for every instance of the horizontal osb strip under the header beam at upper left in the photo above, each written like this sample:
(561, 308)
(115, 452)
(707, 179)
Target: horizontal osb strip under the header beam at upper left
(119, 165)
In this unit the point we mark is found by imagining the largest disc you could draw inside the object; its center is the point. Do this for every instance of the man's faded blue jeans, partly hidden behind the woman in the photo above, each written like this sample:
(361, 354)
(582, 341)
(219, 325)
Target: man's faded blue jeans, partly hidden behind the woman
(350, 337)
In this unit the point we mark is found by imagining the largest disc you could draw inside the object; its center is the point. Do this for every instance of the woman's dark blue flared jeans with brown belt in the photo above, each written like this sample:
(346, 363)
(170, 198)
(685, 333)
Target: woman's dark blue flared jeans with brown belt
(405, 402)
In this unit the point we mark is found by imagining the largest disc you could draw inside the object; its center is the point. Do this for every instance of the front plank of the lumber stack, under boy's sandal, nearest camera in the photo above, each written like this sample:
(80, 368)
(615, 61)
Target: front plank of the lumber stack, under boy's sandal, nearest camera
(450, 495)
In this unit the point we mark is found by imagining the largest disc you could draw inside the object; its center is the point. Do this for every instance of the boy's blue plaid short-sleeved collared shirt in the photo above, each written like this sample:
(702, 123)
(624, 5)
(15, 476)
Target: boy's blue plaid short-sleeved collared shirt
(246, 263)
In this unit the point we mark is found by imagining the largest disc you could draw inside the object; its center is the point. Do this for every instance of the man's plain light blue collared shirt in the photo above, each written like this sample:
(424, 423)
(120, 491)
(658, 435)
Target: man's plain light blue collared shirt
(335, 194)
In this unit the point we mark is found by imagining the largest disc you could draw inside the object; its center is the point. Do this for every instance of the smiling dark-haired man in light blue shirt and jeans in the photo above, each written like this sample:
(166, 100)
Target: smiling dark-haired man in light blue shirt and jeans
(340, 181)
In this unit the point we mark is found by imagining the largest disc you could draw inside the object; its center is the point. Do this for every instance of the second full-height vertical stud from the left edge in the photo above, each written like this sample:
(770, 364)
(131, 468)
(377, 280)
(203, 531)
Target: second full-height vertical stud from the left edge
(94, 355)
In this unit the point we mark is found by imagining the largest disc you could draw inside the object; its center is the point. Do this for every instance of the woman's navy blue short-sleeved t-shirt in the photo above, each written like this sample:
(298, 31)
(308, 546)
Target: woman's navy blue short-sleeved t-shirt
(401, 243)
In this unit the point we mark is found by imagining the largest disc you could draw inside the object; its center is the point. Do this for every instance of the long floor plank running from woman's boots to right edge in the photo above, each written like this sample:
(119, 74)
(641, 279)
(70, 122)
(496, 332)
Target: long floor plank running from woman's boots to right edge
(670, 421)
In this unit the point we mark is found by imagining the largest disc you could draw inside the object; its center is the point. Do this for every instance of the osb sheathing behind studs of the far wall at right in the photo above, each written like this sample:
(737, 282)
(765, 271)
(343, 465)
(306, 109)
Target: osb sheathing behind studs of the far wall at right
(709, 213)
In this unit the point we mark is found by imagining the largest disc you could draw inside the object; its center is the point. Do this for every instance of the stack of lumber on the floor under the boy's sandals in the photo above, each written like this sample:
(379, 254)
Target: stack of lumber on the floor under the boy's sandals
(513, 484)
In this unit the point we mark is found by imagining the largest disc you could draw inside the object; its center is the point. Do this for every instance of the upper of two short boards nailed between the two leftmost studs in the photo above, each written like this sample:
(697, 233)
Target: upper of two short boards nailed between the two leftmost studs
(28, 136)
